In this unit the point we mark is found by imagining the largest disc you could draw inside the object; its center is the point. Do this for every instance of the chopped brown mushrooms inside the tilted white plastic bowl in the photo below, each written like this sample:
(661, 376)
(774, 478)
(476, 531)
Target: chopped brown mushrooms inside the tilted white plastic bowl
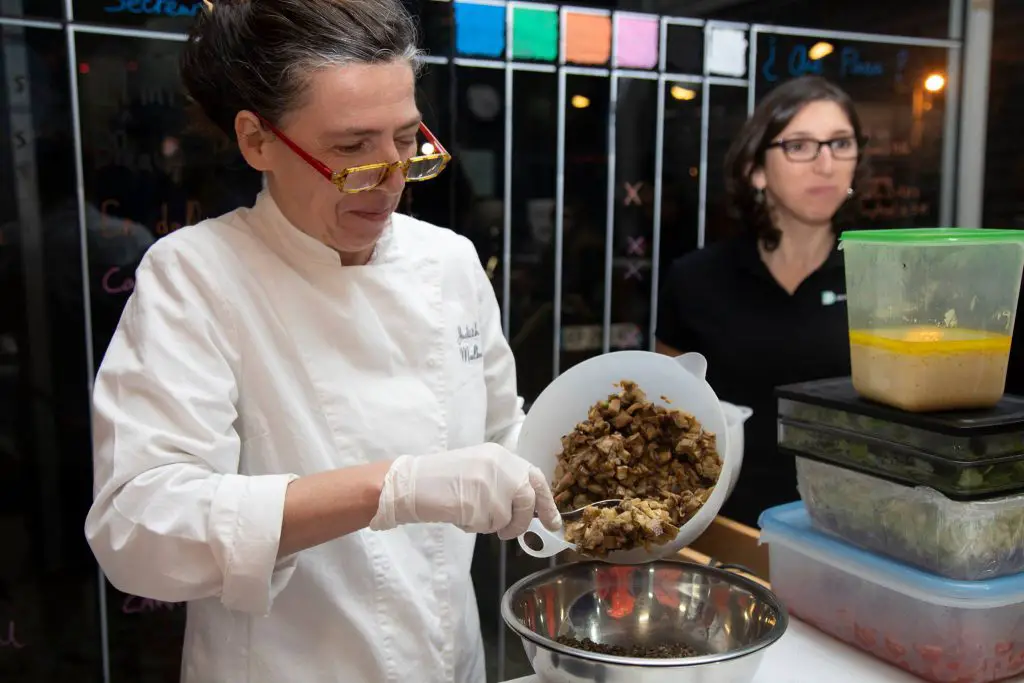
(660, 461)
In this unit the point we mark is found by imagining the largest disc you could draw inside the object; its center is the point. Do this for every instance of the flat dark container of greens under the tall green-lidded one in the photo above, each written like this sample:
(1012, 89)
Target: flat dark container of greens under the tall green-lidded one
(966, 456)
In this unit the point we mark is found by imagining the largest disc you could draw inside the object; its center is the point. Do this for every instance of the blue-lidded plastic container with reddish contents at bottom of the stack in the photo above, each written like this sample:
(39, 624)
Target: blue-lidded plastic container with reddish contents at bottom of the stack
(941, 630)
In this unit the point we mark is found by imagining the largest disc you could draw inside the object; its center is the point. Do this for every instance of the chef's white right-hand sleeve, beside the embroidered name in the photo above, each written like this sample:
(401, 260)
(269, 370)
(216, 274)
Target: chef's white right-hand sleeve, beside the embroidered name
(505, 413)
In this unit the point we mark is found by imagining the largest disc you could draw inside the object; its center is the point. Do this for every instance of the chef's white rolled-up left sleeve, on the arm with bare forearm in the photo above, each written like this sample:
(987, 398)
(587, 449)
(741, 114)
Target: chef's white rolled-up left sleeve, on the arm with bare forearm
(174, 520)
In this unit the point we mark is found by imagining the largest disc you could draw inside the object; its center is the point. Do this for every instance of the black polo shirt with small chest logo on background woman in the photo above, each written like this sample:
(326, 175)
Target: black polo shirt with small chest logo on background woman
(723, 303)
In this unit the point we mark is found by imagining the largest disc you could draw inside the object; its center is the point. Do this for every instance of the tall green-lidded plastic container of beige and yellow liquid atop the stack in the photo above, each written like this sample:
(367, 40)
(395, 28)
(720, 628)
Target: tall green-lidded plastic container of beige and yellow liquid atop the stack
(932, 315)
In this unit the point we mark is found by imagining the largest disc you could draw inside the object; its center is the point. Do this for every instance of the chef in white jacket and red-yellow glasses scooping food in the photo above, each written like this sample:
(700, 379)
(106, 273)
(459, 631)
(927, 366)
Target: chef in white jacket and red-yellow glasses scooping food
(309, 407)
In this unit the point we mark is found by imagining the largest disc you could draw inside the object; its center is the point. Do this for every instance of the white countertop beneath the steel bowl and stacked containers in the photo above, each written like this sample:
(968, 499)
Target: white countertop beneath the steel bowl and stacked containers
(807, 656)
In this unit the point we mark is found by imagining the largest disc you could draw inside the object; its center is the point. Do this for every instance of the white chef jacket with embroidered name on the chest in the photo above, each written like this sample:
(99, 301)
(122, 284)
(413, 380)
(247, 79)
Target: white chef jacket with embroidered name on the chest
(248, 356)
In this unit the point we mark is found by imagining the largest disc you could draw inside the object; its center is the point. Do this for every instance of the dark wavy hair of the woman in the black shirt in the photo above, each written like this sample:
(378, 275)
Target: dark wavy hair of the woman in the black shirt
(747, 154)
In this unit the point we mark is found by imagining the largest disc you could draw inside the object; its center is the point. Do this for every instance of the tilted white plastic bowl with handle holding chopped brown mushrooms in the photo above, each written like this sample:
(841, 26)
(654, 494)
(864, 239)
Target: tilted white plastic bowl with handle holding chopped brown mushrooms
(567, 401)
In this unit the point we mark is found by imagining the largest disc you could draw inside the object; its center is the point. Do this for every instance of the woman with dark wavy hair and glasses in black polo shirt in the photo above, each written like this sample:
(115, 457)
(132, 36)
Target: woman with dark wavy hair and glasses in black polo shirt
(769, 309)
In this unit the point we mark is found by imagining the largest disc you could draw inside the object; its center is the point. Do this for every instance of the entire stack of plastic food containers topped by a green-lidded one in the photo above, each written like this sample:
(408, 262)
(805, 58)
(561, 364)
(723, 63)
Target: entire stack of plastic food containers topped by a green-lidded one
(910, 541)
